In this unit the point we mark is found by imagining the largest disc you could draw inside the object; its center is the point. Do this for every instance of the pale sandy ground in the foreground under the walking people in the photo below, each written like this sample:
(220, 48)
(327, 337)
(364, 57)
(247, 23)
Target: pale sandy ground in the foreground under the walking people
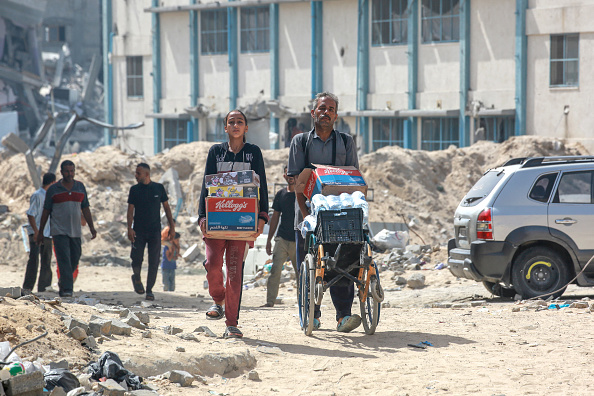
(485, 350)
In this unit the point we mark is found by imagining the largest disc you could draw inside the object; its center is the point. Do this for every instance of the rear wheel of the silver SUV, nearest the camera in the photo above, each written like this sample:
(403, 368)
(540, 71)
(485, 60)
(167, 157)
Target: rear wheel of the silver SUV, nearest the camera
(539, 271)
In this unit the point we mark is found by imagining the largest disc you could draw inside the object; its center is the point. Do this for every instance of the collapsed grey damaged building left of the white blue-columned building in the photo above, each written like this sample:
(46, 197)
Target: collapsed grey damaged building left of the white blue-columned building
(50, 68)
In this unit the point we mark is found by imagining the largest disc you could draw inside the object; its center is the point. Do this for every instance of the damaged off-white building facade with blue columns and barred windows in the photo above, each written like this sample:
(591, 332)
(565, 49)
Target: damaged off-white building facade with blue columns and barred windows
(422, 74)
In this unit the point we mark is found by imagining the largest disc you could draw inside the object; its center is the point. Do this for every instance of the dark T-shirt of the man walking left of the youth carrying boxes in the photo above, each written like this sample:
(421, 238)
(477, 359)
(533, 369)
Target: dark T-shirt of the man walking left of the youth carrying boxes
(147, 199)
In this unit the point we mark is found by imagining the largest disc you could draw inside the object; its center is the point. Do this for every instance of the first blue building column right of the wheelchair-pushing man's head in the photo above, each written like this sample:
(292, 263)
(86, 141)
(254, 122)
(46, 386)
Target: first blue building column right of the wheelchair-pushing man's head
(363, 72)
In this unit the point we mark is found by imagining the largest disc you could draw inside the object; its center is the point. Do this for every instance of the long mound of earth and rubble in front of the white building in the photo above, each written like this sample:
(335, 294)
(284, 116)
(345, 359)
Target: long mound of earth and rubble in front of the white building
(418, 188)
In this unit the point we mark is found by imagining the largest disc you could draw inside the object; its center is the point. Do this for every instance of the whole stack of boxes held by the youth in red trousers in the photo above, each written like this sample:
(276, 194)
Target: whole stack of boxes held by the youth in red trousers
(232, 206)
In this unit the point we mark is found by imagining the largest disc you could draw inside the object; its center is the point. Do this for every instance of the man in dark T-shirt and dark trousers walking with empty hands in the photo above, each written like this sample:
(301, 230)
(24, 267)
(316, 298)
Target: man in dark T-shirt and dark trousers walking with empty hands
(144, 201)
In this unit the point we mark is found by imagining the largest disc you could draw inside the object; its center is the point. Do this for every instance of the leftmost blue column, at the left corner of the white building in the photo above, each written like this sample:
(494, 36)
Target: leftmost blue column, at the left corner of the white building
(107, 68)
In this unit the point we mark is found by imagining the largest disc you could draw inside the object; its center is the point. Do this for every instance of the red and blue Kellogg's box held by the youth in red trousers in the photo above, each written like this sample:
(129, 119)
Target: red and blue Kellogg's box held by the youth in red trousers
(231, 218)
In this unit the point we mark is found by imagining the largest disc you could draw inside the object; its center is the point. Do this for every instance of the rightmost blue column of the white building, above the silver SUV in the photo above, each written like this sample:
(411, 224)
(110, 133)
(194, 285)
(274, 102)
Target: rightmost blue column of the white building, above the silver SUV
(521, 66)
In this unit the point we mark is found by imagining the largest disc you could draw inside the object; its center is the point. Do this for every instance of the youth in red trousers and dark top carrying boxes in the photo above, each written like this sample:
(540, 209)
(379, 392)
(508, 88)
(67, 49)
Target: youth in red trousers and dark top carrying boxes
(234, 155)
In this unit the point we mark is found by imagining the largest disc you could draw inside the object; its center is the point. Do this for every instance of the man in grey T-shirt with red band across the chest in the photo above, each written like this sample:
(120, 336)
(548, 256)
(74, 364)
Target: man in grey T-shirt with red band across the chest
(65, 201)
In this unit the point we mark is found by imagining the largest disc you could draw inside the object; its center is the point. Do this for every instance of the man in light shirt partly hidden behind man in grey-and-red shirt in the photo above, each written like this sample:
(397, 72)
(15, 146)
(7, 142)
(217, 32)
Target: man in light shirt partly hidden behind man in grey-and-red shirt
(35, 250)
